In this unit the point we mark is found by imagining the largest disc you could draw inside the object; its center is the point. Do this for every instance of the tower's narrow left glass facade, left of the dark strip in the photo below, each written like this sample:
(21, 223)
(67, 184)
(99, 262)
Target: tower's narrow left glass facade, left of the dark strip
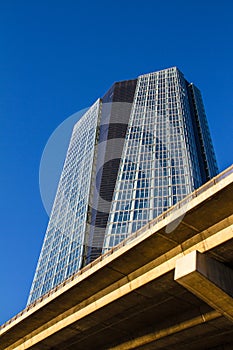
(61, 254)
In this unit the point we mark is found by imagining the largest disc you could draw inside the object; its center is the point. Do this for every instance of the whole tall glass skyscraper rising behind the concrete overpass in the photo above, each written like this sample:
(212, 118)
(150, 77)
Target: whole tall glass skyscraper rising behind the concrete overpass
(137, 151)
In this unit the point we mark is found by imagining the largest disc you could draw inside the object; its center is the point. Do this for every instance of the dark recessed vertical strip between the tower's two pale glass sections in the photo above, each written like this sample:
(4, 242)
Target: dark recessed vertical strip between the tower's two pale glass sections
(115, 112)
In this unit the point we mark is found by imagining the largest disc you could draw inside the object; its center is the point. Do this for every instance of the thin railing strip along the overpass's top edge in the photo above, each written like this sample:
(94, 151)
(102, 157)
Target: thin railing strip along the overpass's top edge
(138, 233)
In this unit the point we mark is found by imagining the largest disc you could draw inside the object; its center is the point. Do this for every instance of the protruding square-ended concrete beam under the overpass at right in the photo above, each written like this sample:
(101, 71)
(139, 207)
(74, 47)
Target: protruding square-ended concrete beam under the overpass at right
(208, 279)
